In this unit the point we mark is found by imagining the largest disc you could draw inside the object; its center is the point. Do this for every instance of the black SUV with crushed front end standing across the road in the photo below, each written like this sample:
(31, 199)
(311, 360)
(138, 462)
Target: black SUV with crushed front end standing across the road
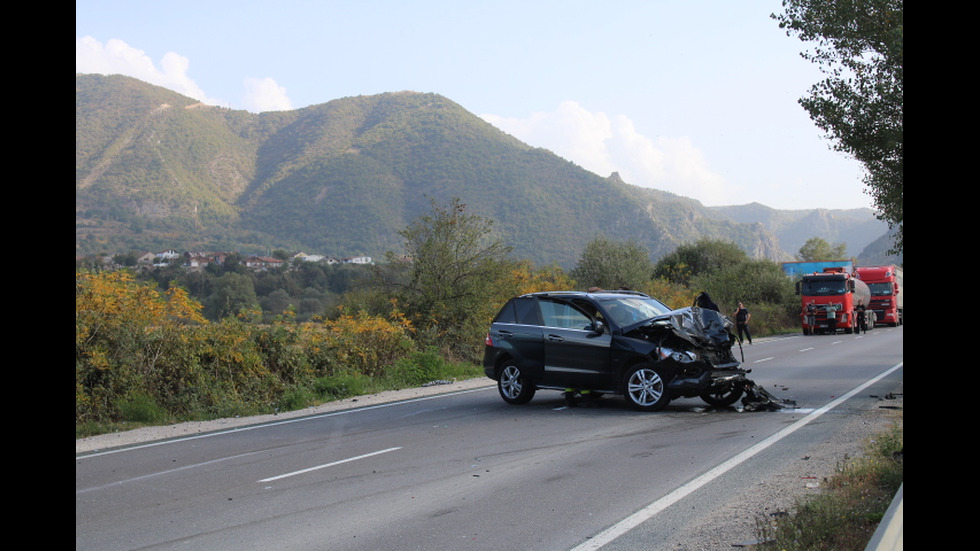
(612, 342)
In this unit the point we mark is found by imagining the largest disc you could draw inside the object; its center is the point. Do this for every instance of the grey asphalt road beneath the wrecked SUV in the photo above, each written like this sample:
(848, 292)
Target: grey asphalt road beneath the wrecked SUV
(467, 471)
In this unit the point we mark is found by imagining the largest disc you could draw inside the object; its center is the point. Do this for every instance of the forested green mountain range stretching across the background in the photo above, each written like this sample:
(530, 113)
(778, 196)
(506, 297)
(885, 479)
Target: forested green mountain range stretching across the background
(156, 170)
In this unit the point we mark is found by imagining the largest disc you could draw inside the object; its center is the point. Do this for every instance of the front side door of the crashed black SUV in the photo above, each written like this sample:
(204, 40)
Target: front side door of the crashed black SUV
(575, 355)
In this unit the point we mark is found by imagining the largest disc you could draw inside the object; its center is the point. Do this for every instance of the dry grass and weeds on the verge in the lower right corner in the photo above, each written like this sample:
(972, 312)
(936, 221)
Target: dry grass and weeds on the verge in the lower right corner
(845, 515)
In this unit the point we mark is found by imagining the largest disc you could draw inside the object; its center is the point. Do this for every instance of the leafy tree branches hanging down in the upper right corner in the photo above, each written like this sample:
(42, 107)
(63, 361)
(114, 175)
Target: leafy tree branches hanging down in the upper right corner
(858, 44)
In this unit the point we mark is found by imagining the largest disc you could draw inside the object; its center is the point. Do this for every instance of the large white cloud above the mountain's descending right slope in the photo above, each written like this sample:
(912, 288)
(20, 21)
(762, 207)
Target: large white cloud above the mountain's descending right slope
(604, 145)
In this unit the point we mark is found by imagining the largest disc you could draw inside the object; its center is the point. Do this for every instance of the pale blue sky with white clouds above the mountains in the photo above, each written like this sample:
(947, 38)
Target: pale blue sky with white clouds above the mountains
(697, 97)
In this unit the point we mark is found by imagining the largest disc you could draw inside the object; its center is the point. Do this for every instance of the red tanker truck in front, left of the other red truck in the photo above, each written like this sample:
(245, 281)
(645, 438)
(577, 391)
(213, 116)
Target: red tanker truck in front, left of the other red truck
(829, 298)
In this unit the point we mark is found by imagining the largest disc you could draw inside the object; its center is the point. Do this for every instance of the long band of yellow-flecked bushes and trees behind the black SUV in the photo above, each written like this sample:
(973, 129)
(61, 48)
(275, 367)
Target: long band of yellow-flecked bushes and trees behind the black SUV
(171, 345)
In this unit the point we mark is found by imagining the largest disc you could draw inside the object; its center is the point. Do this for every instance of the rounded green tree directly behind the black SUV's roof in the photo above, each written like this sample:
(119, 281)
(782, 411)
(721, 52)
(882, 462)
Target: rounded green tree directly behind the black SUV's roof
(611, 265)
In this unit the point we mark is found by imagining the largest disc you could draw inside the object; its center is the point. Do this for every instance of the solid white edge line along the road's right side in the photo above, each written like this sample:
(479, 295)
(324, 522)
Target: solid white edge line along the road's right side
(609, 534)
